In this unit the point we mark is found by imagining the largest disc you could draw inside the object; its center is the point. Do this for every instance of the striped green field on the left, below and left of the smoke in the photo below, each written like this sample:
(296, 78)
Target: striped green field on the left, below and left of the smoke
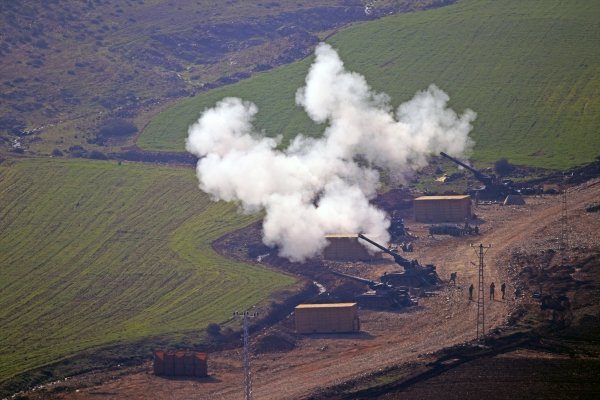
(94, 253)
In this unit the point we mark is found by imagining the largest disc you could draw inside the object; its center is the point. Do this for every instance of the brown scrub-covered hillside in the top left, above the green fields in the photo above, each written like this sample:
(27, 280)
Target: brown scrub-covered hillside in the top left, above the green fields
(65, 67)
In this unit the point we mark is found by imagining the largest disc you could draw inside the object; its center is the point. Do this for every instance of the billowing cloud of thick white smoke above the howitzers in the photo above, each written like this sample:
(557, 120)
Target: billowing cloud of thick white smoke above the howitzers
(320, 186)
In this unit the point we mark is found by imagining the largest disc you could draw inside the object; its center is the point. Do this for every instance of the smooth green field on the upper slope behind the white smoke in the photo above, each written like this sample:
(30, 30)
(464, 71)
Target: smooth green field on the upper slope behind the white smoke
(531, 70)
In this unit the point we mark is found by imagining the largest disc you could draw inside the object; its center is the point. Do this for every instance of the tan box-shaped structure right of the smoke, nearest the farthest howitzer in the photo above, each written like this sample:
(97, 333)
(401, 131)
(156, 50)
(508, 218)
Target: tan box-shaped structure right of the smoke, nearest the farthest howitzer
(442, 208)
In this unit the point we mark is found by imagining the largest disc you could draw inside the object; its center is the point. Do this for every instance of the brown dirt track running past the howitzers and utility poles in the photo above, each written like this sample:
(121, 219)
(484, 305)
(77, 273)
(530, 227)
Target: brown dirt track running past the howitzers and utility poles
(387, 339)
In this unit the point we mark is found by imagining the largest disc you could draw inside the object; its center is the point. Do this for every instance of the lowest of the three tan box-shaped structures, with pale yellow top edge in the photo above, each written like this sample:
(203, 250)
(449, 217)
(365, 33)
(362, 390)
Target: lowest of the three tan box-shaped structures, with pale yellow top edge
(327, 318)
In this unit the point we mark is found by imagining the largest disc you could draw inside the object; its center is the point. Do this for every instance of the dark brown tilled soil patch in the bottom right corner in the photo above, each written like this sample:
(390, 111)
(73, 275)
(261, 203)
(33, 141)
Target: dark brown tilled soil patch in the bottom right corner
(521, 374)
